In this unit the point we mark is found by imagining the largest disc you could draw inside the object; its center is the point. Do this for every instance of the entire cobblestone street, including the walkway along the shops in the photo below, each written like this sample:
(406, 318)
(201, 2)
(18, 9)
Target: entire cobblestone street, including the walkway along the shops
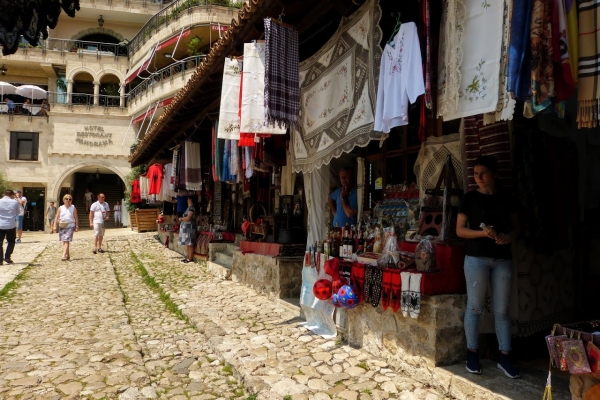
(135, 323)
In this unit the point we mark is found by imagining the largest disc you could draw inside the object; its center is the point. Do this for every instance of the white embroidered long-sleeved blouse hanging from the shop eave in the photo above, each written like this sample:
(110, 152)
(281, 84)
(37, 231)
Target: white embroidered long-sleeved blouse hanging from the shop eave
(400, 79)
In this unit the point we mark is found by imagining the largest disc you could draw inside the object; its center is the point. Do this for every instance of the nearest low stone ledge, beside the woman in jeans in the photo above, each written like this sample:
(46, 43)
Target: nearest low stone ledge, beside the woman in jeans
(435, 338)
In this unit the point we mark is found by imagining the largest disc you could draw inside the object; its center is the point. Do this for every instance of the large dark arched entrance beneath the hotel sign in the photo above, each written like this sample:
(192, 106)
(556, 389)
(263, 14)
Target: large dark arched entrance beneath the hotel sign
(95, 179)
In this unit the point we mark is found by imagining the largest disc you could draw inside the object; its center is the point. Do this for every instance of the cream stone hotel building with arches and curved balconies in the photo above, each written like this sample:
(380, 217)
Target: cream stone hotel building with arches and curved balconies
(107, 72)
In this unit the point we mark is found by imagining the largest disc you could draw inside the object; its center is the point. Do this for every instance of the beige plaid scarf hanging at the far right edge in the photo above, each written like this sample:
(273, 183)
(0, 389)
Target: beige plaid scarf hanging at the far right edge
(589, 56)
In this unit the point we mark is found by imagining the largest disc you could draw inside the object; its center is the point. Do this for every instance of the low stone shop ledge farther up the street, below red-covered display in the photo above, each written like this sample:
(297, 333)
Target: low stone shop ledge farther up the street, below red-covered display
(268, 275)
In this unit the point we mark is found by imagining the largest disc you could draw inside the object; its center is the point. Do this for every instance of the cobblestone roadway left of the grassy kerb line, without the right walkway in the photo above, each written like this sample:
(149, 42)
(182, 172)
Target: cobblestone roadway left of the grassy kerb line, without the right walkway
(92, 328)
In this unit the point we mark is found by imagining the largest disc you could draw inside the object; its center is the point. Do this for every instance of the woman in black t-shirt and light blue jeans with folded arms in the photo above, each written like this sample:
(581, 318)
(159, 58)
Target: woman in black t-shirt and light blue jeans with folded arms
(488, 219)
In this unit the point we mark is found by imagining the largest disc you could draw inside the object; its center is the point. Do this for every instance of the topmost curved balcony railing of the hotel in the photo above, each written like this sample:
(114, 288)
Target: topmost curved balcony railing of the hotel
(171, 13)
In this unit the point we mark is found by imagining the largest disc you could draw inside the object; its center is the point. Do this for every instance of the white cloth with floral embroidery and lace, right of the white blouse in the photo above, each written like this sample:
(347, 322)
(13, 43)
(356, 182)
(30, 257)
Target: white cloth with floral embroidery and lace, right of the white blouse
(480, 67)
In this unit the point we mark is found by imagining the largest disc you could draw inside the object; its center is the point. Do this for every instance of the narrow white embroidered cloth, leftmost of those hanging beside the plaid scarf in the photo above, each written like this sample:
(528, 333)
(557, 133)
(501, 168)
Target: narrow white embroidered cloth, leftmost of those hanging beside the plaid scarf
(229, 120)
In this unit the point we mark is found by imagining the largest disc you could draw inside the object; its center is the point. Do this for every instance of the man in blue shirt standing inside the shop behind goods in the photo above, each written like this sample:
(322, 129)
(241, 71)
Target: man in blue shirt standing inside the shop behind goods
(343, 201)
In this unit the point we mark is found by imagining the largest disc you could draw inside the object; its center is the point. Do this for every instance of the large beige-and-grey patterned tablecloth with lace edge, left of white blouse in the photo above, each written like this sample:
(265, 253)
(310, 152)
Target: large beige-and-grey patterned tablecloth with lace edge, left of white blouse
(338, 91)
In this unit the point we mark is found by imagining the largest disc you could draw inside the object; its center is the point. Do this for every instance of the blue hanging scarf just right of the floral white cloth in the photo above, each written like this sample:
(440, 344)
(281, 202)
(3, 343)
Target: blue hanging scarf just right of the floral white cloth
(519, 55)
